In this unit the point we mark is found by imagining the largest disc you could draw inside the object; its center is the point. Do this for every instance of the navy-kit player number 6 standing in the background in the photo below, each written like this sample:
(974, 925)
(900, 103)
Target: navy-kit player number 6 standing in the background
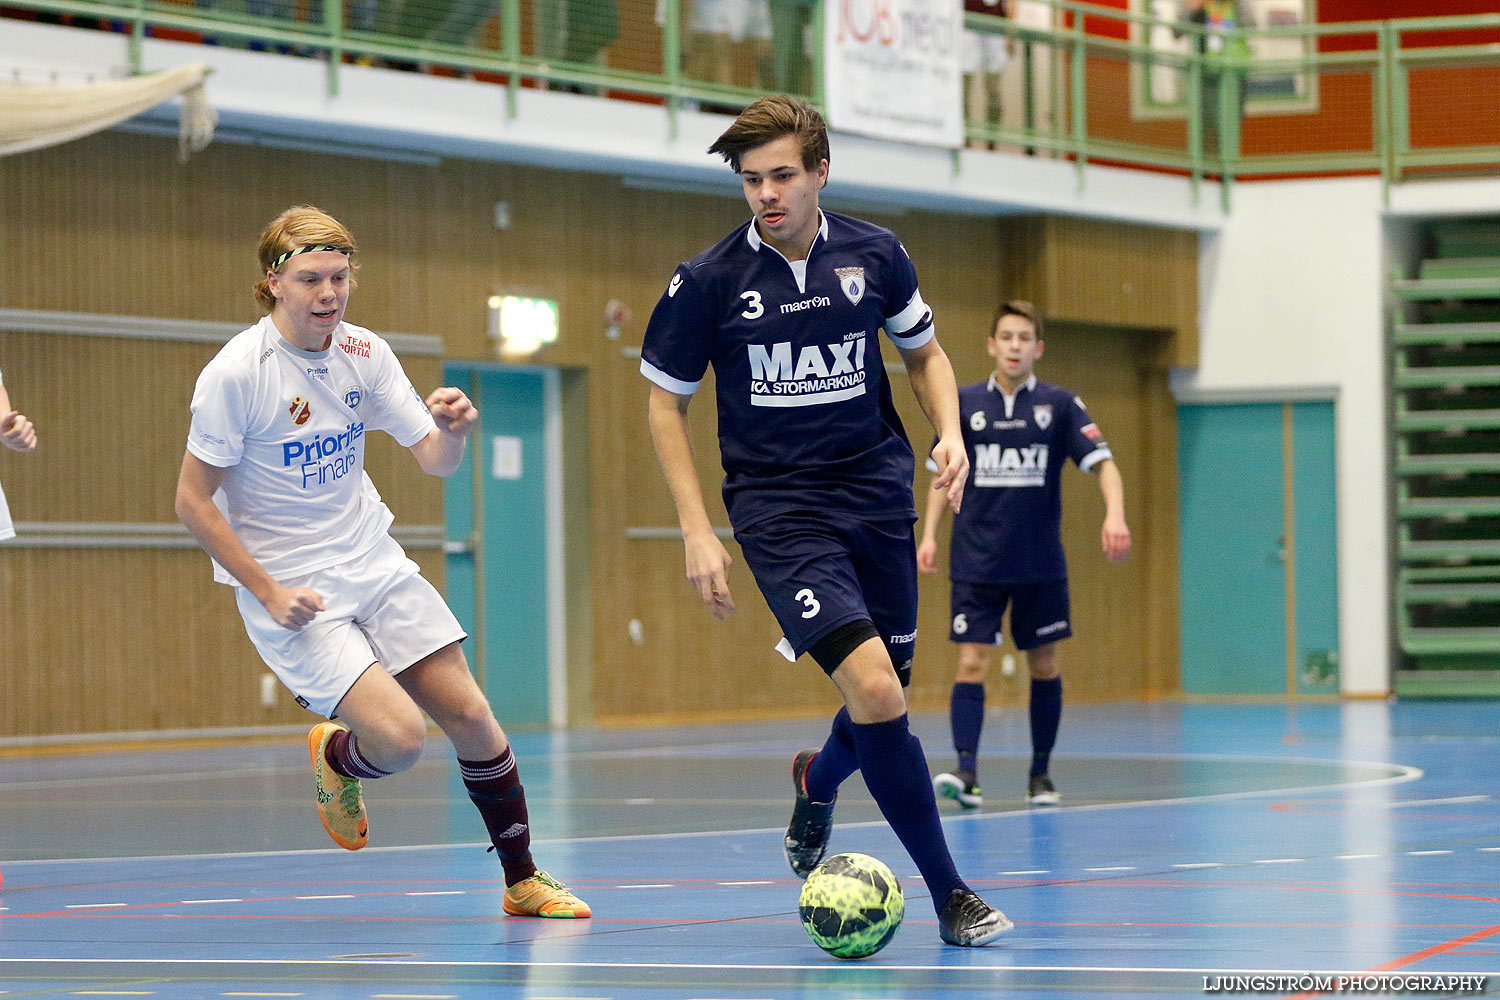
(1007, 540)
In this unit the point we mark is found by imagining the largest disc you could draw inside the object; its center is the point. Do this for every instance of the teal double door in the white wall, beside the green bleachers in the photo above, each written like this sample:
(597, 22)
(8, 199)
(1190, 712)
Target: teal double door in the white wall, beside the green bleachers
(1259, 548)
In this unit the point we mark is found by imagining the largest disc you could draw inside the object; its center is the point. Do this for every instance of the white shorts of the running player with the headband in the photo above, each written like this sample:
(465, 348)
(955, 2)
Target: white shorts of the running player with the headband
(377, 609)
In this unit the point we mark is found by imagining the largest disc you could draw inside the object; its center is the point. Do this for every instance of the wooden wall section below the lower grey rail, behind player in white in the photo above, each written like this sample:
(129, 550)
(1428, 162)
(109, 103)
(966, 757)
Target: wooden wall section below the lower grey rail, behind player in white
(128, 639)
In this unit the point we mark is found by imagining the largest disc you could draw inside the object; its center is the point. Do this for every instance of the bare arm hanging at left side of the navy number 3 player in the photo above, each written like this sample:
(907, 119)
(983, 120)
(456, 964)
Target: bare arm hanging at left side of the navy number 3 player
(707, 558)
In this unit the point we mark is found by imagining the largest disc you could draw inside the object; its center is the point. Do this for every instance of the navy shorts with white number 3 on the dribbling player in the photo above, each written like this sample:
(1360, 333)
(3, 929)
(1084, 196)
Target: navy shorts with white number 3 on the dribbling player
(818, 573)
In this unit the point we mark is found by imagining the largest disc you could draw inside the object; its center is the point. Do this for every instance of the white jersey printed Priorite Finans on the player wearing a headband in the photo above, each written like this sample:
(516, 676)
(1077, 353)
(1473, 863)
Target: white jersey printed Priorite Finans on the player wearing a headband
(290, 427)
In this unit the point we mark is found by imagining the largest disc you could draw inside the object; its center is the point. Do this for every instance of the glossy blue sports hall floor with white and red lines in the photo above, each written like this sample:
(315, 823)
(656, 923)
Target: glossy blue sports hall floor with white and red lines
(1195, 842)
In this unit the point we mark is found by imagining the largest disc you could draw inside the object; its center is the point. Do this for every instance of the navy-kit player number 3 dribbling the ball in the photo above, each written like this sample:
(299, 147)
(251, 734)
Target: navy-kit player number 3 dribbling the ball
(818, 470)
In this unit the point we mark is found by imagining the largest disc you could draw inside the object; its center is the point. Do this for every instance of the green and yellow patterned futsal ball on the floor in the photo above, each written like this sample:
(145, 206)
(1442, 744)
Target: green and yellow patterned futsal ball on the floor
(851, 906)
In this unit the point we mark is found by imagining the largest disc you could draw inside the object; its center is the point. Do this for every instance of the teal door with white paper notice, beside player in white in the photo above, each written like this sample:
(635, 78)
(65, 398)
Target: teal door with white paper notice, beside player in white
(502, 531)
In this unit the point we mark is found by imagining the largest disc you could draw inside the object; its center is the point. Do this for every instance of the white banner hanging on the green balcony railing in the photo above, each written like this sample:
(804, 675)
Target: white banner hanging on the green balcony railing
(892, 70)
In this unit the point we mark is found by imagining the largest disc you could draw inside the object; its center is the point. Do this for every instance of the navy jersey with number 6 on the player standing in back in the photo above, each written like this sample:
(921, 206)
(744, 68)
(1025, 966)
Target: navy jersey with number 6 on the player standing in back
(1010, 525)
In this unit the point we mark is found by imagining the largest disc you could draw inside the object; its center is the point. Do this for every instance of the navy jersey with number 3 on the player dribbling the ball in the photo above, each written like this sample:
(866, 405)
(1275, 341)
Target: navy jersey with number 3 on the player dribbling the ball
(806, 419)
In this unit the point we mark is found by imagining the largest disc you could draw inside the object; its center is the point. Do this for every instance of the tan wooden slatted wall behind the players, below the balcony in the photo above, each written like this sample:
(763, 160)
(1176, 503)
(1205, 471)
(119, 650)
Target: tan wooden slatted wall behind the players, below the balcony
(113, 226)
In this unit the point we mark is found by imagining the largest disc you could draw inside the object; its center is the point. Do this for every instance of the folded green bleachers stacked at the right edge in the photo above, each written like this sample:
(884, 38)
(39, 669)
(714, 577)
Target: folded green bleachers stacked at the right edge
(1445, 428)
